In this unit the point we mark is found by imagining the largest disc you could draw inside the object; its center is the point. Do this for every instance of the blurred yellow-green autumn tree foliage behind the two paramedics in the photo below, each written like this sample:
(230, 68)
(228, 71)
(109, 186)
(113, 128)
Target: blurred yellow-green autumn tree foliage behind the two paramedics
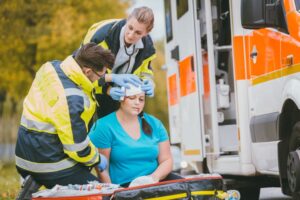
(33, 32)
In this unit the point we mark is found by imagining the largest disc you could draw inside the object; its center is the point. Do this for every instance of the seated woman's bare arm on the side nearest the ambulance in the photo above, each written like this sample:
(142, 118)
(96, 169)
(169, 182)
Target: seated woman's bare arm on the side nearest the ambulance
(165, 161)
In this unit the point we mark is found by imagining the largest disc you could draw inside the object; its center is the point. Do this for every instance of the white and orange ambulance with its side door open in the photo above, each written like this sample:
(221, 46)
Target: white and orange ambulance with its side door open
(233, 87)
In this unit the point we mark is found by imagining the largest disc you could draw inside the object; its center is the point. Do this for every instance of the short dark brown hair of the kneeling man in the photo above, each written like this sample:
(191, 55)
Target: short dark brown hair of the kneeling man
(94, 56)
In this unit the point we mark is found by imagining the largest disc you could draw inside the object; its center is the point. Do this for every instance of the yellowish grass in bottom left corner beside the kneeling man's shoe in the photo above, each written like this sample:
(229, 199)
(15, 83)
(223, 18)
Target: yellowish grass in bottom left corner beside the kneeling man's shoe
(9, 181)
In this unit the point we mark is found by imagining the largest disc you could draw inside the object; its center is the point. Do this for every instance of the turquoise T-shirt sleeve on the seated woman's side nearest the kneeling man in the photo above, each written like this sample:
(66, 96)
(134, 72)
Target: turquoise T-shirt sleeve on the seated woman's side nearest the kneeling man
(100, 135)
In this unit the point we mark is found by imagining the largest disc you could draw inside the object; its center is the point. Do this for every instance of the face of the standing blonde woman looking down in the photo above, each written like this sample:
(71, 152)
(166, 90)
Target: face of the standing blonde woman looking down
(134, 31)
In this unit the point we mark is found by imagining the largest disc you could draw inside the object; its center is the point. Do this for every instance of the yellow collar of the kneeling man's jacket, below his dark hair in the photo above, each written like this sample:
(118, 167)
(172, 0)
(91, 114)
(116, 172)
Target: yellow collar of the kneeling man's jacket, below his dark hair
(74, 72)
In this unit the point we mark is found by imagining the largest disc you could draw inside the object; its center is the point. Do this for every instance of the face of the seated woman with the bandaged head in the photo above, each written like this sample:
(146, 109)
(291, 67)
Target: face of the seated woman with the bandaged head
(134, 104)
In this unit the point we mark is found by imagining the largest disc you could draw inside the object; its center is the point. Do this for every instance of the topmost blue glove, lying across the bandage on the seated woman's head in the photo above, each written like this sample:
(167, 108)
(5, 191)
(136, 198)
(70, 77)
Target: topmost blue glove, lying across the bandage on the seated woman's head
(123, 79)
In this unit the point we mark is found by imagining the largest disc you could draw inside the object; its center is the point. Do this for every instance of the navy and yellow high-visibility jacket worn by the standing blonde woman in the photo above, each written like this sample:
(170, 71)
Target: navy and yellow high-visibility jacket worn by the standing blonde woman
(107, 34)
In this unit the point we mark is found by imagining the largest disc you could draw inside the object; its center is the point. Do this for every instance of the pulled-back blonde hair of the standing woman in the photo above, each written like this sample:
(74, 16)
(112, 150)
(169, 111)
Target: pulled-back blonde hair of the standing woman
(143, 15)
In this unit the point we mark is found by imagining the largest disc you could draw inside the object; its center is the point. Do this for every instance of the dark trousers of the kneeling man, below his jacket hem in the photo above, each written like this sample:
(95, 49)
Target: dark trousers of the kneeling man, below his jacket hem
(80, 176)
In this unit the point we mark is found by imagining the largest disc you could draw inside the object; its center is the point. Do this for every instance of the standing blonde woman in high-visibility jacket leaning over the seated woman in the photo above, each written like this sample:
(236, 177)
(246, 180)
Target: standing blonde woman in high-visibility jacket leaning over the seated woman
(128, 39)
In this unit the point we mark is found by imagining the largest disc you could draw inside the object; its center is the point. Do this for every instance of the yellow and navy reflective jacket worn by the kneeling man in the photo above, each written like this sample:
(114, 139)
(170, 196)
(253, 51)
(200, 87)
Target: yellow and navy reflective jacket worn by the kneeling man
(52, 137)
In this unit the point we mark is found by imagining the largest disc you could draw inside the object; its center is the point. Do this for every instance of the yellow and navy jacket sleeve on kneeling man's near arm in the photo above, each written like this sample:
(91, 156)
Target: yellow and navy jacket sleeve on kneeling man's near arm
(68, 117)
